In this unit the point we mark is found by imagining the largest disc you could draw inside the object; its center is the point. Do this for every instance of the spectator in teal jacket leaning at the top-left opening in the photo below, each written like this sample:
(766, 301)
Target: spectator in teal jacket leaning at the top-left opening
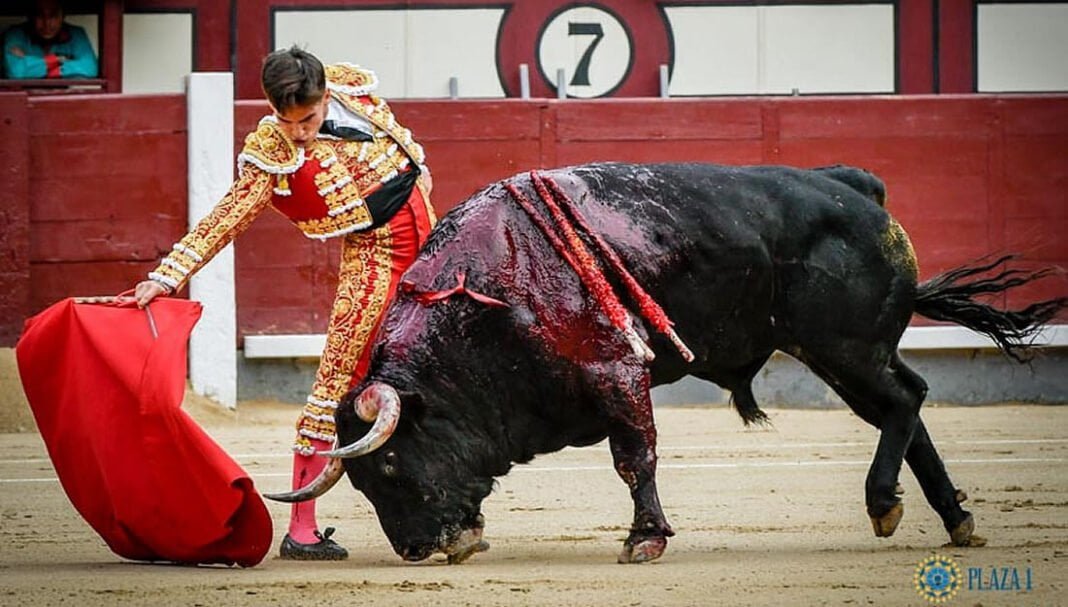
(48, 48)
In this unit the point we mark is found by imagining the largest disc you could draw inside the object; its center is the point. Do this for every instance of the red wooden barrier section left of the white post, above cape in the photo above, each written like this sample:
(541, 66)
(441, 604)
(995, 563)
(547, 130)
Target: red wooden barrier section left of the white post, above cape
(107, 182)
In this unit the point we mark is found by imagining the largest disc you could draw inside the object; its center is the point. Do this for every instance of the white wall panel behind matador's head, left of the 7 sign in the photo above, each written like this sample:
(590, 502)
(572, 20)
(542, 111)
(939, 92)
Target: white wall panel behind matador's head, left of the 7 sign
(415, 53)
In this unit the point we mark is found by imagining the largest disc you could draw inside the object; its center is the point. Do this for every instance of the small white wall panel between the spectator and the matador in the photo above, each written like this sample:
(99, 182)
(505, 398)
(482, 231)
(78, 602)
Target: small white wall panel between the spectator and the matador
(158, 52)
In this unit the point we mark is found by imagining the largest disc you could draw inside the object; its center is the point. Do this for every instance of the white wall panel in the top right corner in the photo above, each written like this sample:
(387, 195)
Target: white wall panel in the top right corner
(1023, 48)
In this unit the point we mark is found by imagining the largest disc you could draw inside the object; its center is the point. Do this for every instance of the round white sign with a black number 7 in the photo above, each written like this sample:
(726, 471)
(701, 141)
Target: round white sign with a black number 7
(590, 48)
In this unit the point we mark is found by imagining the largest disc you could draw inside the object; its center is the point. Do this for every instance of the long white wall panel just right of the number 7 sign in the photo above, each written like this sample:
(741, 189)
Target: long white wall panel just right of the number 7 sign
(842, 49)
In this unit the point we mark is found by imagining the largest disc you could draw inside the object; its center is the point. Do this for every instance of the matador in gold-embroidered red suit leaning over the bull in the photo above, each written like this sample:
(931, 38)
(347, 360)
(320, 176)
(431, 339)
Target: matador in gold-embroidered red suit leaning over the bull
(334, 160)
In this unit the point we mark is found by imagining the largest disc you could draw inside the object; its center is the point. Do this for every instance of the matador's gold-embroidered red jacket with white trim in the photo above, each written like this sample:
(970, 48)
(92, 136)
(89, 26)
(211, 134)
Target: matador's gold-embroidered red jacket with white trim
(322, 189)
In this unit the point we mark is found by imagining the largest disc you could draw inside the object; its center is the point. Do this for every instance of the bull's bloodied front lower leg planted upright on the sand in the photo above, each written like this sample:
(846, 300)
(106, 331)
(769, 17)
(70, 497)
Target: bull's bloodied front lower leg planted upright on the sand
(634, 452)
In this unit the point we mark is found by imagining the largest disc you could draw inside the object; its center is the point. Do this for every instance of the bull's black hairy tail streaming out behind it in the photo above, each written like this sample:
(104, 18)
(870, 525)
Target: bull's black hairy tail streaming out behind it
(952, 297)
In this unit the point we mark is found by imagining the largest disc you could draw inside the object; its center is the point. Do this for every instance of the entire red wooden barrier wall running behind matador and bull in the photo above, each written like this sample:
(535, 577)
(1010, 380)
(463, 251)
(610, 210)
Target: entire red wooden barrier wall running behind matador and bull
(967, 176)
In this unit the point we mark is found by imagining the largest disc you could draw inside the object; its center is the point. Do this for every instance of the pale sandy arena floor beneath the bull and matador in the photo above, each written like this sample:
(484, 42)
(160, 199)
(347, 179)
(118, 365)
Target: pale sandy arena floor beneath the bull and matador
(763, 518)
